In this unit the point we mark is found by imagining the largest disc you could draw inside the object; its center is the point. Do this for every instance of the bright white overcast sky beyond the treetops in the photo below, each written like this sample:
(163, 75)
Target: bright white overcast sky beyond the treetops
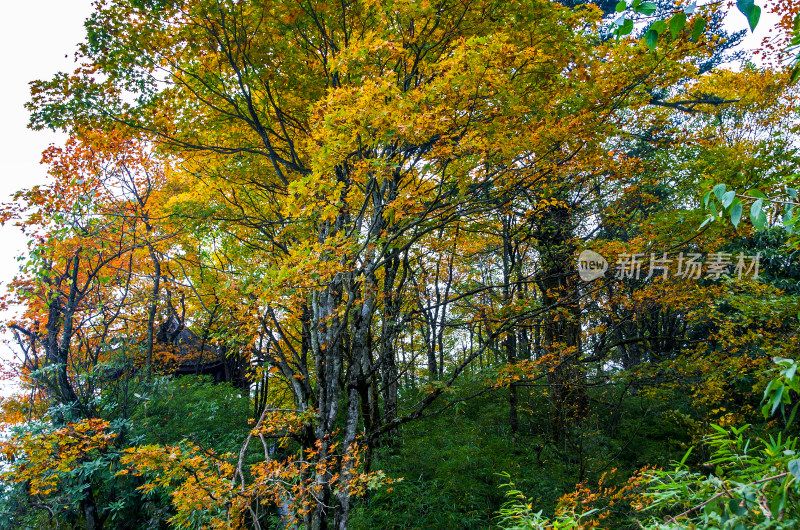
(39, 38)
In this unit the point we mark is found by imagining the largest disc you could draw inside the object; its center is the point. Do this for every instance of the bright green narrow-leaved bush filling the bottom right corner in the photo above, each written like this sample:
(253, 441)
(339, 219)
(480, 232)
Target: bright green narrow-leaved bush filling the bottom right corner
(745, 484)
